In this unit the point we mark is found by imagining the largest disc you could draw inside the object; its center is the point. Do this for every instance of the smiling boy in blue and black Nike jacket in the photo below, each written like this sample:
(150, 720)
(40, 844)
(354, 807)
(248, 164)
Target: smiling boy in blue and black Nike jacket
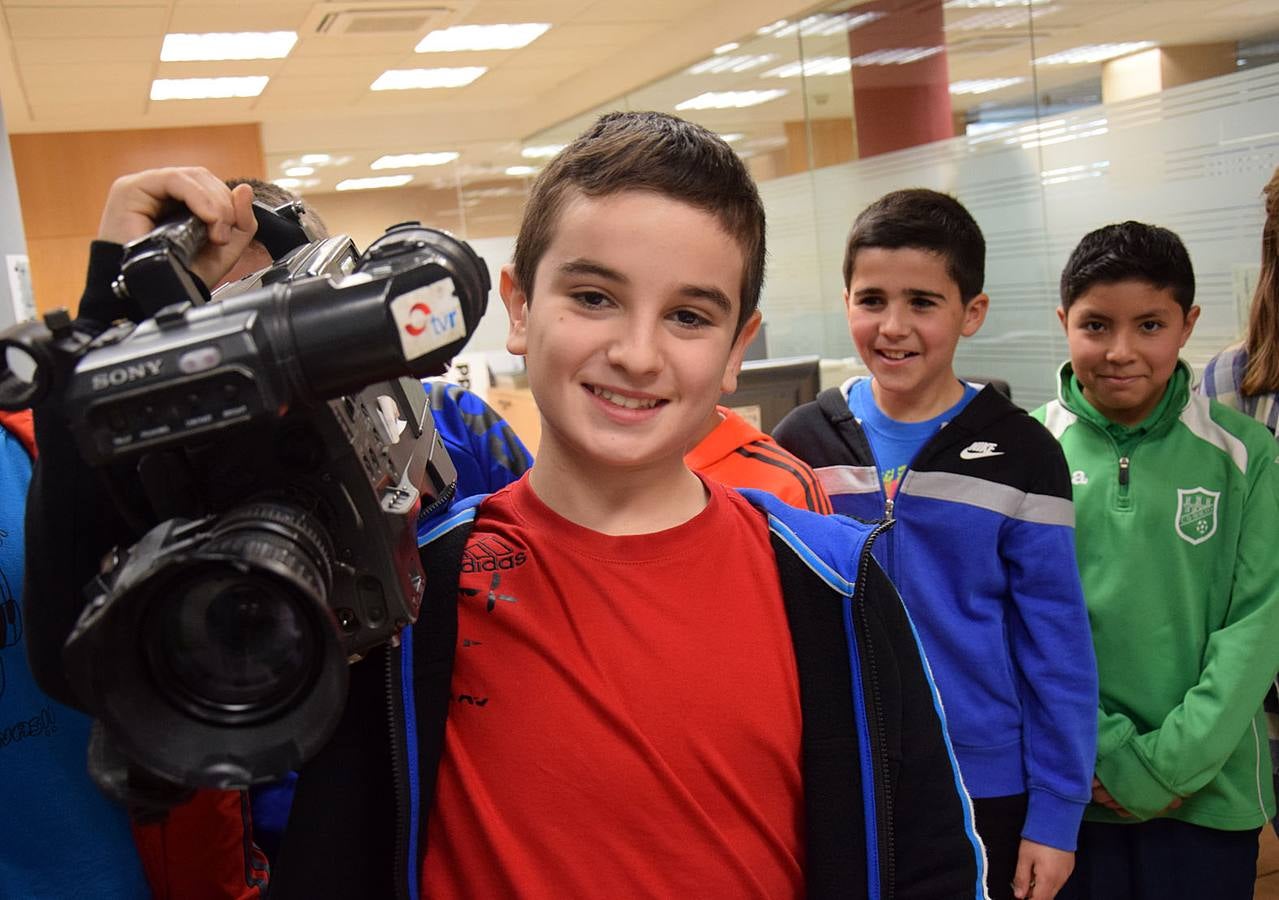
(982, 545)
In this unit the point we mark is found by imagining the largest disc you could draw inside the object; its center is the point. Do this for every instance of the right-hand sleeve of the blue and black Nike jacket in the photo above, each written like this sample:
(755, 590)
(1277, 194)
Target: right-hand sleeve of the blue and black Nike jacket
(1051, 644)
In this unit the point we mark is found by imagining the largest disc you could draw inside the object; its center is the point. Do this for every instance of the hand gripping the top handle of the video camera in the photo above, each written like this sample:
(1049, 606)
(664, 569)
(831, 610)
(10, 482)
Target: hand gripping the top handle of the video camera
(136, 203)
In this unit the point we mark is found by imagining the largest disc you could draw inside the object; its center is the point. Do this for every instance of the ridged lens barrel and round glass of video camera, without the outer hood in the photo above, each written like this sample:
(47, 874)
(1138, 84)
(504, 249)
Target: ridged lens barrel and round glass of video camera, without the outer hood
(233, 635)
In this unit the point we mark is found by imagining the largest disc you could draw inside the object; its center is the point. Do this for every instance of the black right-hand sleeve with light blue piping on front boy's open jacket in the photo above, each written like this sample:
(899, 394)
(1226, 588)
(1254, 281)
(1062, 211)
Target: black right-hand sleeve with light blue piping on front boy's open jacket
(936, 848)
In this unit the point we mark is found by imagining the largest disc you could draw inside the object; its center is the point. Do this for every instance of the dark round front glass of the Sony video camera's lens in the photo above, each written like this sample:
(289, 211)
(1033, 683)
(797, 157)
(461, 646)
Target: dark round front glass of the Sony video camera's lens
(235, 644)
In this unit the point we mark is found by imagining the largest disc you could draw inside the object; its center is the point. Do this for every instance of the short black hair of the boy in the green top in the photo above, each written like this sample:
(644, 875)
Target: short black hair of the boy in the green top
(1130, 252)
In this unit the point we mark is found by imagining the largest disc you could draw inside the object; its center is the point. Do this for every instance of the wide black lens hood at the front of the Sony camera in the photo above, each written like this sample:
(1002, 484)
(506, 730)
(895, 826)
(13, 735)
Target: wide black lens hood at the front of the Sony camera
(157, 699)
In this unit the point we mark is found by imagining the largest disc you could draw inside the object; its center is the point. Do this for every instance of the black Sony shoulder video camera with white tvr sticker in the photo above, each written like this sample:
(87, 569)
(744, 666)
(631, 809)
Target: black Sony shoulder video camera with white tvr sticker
(278, 452)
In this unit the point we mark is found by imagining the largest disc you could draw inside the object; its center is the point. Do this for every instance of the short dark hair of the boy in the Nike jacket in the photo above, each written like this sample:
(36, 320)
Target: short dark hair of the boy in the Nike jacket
(925, 221)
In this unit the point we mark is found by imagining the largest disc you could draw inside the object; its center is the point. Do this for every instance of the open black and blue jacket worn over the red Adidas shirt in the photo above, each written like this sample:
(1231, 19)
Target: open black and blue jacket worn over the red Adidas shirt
(886, 811)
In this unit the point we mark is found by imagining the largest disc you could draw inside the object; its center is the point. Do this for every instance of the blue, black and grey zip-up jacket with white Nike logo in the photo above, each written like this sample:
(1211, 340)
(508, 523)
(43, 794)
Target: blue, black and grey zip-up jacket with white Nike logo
(983, 552)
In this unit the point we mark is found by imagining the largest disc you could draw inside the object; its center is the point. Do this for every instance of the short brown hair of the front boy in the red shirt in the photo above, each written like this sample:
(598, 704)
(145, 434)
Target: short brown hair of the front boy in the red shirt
(657, 153)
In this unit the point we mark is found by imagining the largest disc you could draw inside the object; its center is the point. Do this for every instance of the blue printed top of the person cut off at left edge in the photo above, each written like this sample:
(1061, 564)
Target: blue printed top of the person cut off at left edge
(59, 835)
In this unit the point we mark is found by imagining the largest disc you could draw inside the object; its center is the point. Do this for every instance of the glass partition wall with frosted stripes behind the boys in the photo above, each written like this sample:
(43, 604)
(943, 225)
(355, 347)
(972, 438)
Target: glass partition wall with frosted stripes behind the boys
(1047, 118)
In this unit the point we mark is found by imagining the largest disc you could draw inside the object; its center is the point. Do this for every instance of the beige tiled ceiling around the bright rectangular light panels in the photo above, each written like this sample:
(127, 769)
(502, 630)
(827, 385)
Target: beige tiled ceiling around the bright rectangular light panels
(89, 65)
